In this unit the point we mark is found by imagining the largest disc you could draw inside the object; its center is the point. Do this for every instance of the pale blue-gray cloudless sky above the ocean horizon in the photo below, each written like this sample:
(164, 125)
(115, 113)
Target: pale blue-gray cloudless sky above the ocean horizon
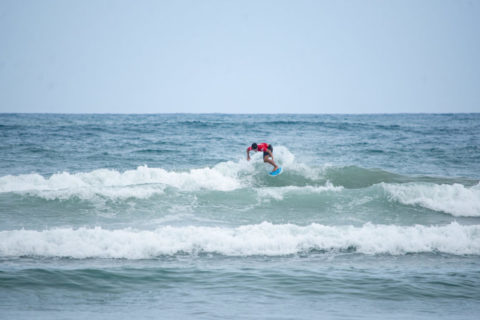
(239, 56)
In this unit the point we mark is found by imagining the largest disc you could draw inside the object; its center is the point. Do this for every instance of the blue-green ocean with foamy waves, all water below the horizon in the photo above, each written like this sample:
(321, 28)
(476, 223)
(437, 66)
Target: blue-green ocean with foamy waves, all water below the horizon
(161, 216)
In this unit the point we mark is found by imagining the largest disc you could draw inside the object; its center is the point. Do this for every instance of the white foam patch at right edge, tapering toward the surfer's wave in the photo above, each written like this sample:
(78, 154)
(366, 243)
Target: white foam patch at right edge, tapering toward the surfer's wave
(455, 199)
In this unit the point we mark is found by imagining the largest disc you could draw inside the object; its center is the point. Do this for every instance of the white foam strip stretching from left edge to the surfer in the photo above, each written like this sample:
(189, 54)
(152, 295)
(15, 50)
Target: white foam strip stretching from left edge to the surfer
(140, 183)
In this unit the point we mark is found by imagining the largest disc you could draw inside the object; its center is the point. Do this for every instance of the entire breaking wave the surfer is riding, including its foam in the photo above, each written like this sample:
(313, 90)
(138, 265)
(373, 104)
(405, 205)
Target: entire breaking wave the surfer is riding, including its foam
(438, 194)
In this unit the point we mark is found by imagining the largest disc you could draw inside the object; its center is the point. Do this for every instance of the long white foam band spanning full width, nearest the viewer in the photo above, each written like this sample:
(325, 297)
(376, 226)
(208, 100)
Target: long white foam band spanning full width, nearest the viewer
(259, 239)
